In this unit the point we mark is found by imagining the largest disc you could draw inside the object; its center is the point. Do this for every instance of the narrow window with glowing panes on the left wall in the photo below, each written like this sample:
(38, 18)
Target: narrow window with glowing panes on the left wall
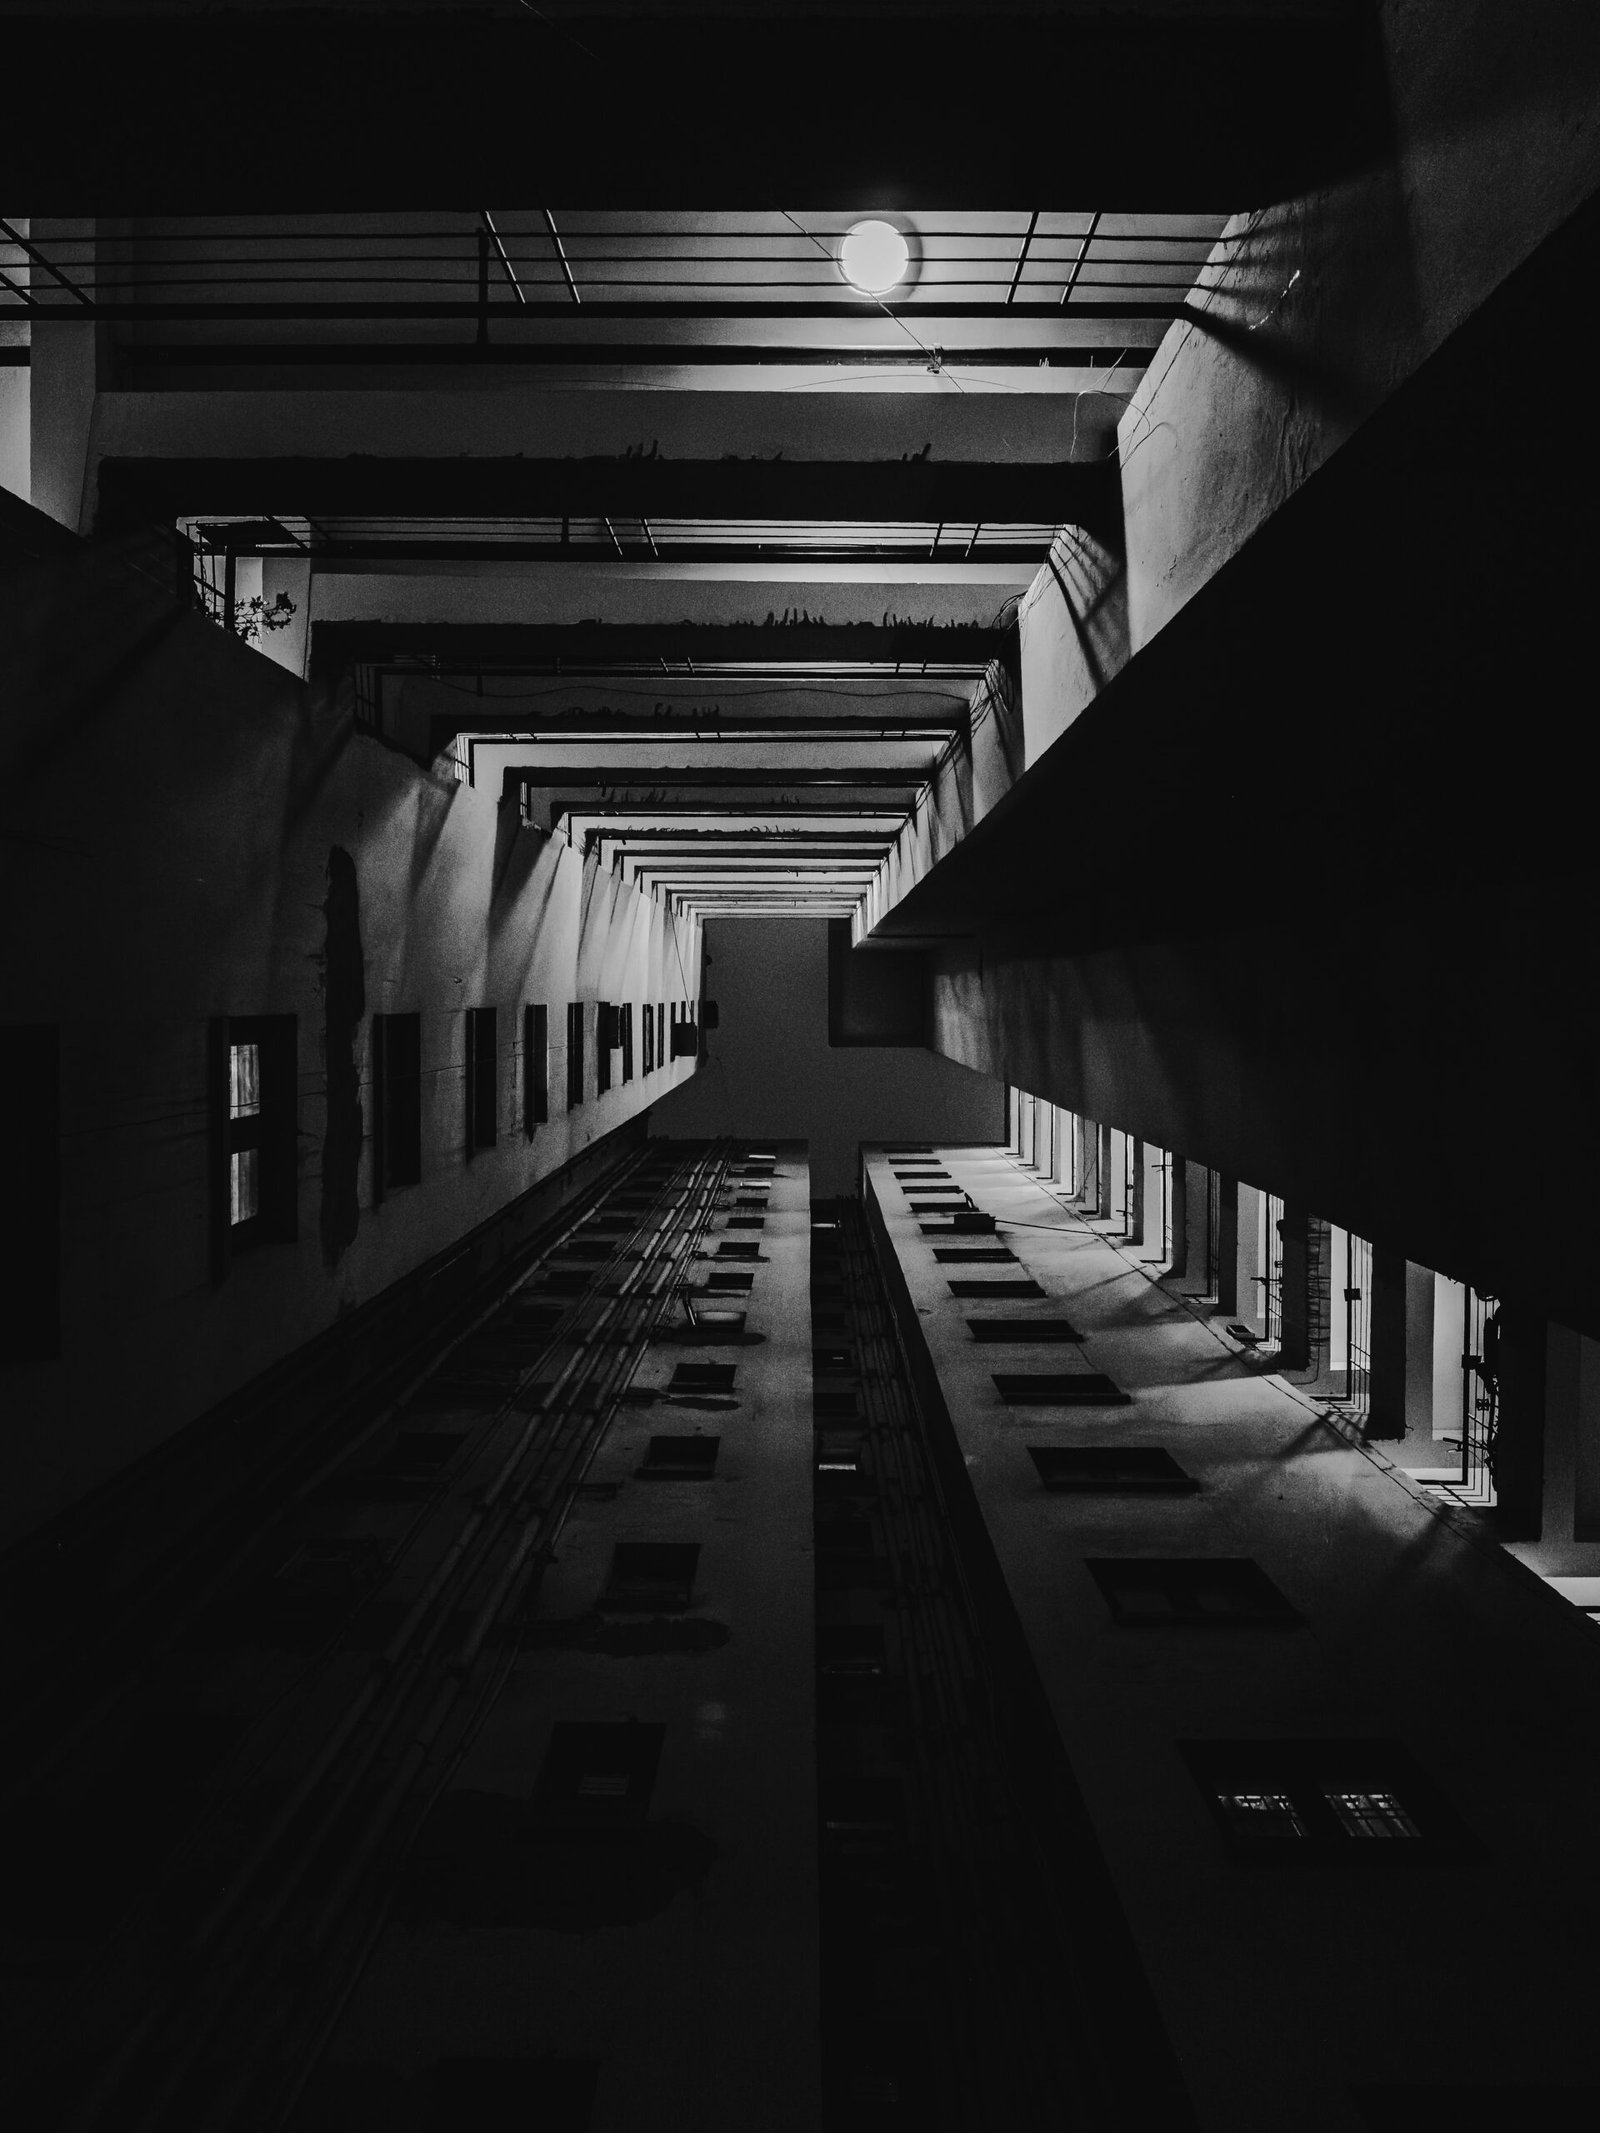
(255, 1091)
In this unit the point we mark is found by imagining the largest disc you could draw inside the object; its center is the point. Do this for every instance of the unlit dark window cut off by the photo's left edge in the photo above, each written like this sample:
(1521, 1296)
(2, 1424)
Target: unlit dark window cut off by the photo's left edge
(31, 1298)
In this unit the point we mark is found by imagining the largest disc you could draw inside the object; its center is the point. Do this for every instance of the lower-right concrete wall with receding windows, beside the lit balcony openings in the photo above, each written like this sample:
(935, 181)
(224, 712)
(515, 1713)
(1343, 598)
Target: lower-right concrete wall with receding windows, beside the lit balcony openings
(1411, 1631)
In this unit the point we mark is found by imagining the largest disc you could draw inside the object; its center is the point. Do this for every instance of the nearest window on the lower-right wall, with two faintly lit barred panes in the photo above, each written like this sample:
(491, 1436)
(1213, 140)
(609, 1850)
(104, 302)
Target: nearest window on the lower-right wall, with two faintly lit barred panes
(1347, 1799)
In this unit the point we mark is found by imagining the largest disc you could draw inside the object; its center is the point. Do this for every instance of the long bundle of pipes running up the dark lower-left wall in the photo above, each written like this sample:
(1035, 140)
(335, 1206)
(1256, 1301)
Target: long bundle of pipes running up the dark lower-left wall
(234, 1959)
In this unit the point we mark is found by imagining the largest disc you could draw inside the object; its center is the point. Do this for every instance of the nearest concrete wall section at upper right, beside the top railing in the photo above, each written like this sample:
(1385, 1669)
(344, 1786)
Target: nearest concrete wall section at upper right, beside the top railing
(1322, 306)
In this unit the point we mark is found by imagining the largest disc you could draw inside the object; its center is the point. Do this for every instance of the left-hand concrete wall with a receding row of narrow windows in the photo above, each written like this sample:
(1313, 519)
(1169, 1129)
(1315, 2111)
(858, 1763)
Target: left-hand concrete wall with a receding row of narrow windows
(191, 833)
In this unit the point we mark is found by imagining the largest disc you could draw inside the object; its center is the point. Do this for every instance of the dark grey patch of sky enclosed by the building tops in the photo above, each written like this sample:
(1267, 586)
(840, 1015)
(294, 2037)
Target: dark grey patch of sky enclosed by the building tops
(773, 1072)
